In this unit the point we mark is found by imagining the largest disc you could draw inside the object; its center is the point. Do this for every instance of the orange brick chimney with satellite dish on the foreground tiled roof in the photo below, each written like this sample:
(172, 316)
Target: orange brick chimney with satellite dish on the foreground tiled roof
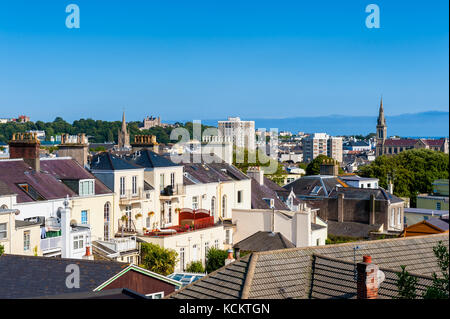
(369, 278)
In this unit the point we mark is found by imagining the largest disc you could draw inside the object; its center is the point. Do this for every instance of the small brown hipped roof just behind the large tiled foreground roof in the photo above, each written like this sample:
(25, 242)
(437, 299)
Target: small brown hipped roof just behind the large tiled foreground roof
(263, 241)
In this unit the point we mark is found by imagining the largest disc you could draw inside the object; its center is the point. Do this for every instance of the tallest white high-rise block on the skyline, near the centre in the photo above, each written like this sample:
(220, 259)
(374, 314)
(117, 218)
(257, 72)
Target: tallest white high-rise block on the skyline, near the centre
(241, 132)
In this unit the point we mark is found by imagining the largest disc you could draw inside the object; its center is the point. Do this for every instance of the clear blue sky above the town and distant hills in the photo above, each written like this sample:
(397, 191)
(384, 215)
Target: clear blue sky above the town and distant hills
(187, 60)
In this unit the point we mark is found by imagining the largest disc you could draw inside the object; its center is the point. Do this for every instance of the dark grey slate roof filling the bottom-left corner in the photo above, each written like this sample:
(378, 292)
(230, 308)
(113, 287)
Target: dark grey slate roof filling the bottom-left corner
(31, 276)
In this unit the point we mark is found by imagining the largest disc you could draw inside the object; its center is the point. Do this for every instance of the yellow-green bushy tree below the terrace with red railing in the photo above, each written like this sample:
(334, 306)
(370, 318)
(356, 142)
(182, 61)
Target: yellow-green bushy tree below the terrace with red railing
(158, 259)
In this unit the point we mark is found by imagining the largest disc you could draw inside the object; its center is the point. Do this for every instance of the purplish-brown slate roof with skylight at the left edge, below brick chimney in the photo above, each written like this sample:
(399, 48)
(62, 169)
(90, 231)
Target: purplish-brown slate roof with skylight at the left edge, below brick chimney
(13, 172)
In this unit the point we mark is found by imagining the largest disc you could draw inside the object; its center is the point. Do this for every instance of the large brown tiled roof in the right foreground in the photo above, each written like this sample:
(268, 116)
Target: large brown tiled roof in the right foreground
(306, 272)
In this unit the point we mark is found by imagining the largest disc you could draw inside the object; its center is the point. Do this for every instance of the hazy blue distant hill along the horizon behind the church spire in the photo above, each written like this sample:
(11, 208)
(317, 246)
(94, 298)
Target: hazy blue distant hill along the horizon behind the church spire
(426, 124)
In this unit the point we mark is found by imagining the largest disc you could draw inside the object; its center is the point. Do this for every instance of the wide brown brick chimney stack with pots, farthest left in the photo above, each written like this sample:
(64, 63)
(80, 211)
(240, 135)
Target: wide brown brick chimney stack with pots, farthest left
(26, 146)
